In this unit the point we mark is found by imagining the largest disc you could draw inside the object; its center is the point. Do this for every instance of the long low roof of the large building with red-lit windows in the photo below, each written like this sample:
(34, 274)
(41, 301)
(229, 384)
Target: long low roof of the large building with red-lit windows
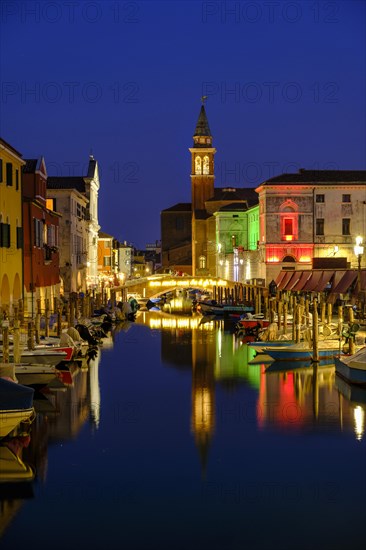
(321, 176)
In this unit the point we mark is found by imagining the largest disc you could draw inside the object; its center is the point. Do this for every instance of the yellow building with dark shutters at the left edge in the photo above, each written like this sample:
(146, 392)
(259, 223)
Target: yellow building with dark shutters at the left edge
(11, 230)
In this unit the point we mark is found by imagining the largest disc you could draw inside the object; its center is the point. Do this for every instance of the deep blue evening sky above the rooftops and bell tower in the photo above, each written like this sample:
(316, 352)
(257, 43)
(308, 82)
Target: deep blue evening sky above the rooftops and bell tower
(285, 83)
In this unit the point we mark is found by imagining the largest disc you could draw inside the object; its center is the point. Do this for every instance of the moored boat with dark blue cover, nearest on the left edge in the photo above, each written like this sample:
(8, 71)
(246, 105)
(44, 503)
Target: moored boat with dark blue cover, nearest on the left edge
(16, 402)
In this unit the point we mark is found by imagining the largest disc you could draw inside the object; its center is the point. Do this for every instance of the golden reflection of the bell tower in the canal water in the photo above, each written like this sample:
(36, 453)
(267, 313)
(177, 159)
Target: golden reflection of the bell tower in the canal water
(203, 398)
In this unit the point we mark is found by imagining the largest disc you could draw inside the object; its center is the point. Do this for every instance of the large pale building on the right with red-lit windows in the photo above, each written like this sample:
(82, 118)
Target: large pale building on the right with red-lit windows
(308, 215)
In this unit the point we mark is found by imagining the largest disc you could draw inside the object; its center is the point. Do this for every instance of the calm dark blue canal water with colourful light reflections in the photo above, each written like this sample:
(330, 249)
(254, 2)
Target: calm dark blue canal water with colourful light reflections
(172, 441)
